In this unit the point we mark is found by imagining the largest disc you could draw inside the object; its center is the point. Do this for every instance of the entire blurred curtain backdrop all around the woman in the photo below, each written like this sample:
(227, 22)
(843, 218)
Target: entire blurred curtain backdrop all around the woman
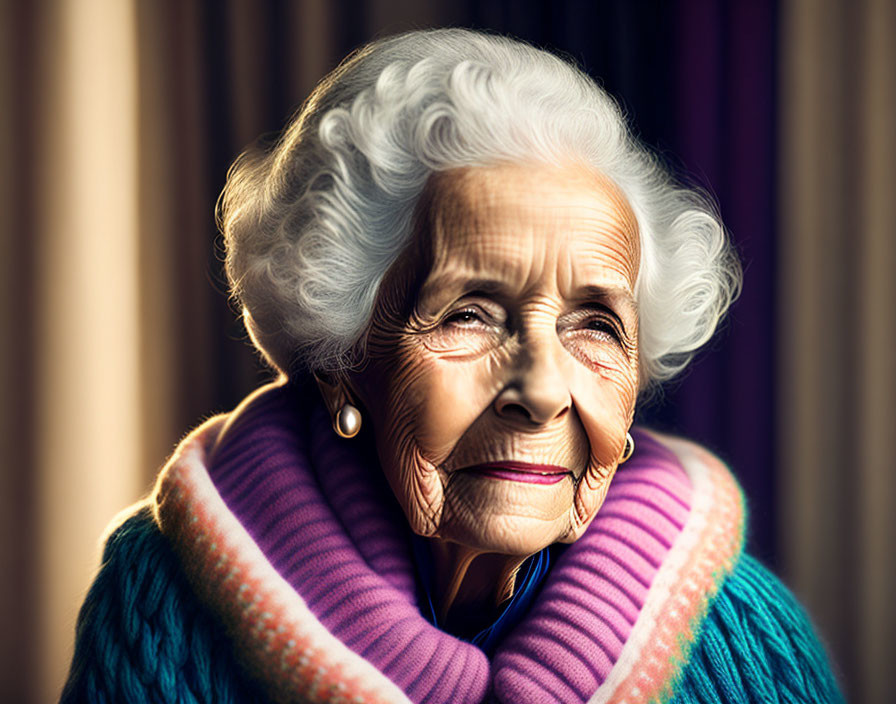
(119, 118)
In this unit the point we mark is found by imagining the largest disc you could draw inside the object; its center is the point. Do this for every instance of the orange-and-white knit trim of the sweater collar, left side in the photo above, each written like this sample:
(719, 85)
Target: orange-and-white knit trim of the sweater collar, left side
(281, 642)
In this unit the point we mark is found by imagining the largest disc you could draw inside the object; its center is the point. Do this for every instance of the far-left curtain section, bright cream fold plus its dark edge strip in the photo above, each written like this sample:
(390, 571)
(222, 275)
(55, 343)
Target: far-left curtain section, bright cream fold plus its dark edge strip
(69, 316)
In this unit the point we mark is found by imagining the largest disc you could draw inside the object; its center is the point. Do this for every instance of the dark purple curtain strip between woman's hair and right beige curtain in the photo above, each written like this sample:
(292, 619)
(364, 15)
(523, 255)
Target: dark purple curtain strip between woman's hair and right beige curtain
(725, 134)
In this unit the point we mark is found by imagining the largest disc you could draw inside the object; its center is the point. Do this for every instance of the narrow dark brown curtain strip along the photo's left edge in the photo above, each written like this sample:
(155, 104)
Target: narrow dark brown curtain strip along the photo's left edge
(18, 602)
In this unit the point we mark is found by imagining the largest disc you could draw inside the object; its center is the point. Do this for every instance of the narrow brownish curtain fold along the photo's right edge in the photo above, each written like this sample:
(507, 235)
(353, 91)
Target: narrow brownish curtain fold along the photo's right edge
(876, 412)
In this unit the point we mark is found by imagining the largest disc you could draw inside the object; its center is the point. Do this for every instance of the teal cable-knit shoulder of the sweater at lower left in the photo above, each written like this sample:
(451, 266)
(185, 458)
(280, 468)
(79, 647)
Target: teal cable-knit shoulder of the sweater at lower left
(142, 637)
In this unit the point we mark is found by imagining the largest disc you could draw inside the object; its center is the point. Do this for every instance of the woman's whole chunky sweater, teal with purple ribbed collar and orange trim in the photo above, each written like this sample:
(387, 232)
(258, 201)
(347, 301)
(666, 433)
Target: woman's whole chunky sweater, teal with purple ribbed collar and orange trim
(299, 558)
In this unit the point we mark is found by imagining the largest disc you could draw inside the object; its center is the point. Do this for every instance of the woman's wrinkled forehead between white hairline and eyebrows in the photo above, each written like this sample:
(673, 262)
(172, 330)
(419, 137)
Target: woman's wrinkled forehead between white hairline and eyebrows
(480, 234)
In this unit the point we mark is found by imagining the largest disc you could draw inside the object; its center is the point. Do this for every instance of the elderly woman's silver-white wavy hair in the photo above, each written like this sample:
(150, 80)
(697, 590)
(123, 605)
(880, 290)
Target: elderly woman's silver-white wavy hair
(312, 226)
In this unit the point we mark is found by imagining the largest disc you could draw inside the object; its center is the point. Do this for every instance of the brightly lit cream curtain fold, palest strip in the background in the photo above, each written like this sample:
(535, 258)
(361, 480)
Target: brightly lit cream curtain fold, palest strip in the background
(87, 422)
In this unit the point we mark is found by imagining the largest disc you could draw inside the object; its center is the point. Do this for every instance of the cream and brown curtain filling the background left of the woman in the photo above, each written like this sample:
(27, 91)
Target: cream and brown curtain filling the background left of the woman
(111, 301)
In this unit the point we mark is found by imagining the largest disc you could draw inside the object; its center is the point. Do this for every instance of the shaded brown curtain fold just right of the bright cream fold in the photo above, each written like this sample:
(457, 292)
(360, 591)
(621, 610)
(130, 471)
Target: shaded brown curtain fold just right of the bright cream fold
(175, 227)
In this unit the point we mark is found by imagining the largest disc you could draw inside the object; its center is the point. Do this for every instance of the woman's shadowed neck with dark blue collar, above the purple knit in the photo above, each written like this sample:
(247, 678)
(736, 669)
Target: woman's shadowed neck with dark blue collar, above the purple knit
(470, 585)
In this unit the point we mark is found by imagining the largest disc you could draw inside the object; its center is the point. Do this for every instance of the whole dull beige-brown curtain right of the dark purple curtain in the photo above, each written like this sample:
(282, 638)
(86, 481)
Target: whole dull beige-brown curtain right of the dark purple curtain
(838, 333)
